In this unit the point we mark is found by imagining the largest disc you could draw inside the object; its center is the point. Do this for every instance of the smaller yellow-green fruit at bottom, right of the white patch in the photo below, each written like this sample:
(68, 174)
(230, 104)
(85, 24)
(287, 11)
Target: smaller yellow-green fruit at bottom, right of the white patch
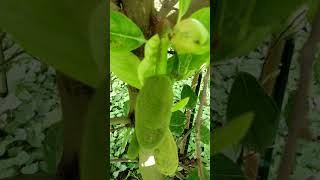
(166, 155)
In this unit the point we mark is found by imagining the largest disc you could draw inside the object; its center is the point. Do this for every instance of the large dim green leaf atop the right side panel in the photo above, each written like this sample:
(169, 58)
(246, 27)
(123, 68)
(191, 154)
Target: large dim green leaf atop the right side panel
(240, 26)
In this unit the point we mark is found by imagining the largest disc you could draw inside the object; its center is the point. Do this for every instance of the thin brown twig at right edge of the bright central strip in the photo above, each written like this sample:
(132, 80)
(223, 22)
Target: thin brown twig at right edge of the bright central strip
(198, 125)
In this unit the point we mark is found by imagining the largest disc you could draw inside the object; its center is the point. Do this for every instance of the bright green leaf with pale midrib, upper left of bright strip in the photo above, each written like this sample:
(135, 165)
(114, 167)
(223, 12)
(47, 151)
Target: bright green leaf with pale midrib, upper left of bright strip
(125, 35)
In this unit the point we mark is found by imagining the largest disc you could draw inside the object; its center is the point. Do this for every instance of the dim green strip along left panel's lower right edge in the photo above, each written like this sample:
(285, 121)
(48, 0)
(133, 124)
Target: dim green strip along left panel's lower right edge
(92, 156)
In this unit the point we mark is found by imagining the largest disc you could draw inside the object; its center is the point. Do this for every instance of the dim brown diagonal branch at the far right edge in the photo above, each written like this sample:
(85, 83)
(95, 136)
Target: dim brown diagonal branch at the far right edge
(300, 110)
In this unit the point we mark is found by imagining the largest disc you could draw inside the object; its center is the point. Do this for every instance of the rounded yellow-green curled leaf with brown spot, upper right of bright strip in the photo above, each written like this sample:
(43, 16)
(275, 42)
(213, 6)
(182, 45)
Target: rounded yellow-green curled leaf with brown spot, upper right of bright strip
(190, 36)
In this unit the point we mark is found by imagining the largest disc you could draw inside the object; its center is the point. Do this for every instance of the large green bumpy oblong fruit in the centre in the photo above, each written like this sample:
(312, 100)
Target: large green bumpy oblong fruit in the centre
(153, 111)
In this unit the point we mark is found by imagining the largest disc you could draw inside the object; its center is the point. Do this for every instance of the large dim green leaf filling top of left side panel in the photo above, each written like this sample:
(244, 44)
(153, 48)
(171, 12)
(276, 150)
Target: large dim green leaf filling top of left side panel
(68, 38)
